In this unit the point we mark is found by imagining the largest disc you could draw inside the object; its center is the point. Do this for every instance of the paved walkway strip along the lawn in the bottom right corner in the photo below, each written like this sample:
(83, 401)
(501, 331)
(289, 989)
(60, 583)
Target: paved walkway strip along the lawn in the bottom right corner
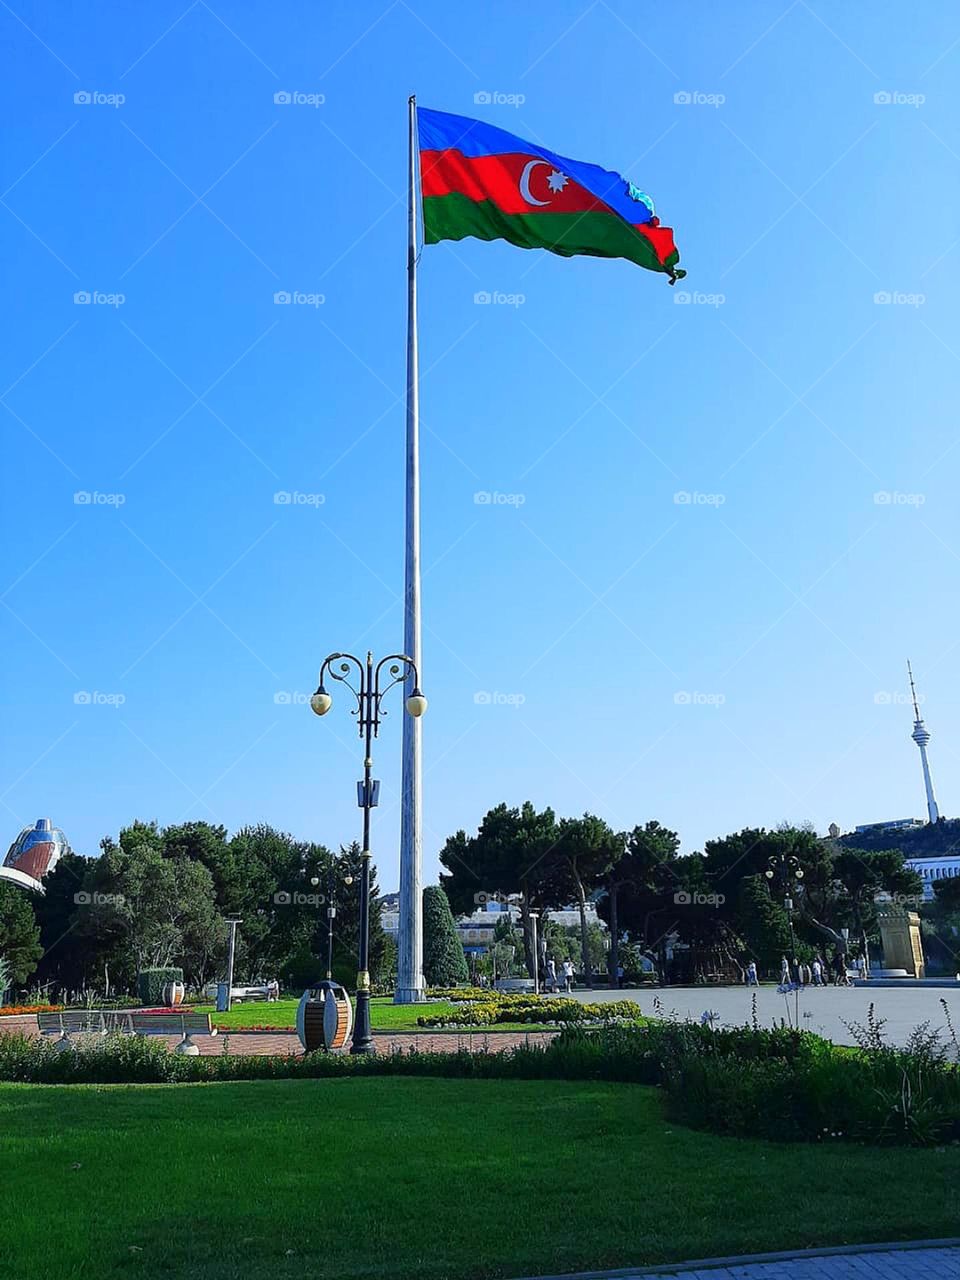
(938, 1261)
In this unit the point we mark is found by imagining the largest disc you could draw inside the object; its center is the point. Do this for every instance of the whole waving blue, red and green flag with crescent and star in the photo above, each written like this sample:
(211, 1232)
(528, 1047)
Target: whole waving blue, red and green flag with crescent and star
(481, 181)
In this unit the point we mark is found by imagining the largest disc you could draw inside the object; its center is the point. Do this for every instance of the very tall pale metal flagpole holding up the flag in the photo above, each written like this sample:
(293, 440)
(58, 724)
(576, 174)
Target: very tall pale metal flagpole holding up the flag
(410, 952)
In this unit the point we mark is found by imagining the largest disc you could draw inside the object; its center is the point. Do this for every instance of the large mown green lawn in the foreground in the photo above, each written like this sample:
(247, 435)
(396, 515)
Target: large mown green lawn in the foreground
(403, 1178)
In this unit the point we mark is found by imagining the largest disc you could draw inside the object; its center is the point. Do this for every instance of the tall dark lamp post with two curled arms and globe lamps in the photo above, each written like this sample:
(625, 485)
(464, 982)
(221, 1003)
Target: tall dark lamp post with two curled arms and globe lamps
(369, 694)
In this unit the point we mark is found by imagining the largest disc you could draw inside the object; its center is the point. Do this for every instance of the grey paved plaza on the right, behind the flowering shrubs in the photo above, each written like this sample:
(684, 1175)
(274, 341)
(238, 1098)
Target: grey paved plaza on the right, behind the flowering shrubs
(824, 1011)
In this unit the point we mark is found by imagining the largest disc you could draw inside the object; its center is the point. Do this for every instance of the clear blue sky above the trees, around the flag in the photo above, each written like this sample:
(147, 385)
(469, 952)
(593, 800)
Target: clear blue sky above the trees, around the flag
(734, 660)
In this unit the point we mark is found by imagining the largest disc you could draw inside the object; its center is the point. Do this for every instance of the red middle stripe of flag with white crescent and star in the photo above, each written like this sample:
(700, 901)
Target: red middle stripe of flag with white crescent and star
(501, 179)
